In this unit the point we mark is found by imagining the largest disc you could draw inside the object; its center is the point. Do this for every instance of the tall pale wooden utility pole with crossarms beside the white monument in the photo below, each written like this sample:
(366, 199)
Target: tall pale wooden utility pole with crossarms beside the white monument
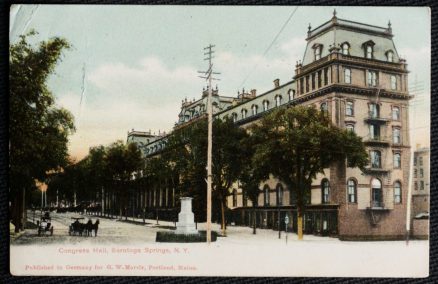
(208, 76)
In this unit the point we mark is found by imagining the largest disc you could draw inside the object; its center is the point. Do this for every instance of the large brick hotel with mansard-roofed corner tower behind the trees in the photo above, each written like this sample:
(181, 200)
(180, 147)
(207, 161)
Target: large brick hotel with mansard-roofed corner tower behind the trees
(353, 72)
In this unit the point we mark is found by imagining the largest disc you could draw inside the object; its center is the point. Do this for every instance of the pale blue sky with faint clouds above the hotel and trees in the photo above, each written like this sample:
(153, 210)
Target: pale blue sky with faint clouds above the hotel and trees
(131, 66)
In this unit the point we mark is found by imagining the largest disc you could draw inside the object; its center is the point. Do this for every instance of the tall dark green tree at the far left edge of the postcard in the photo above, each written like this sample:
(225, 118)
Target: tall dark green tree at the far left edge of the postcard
(38, 131)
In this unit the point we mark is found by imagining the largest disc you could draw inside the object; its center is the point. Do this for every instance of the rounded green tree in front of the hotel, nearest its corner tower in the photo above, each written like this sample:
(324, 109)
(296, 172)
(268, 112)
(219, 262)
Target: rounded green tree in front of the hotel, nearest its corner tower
(297, 143)
